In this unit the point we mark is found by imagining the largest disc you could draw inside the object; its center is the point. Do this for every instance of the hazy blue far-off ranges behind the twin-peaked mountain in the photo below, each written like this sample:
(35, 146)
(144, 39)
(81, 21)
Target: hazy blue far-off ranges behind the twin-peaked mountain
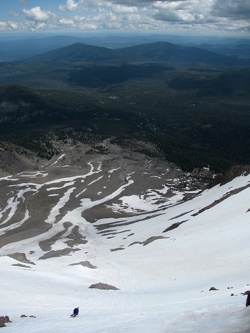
(17, 48)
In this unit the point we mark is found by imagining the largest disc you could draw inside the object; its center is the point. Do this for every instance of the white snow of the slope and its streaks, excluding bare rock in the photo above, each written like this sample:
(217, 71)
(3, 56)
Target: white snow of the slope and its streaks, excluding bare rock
(163, 284)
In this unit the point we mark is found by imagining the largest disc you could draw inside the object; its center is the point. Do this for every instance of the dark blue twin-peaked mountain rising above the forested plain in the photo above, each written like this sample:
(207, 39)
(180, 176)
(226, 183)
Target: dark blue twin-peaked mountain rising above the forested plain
(152, 52)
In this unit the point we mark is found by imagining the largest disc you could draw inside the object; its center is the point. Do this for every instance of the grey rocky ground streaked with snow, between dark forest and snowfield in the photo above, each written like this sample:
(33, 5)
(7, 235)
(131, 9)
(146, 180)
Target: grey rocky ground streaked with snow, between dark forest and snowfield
(40, 197)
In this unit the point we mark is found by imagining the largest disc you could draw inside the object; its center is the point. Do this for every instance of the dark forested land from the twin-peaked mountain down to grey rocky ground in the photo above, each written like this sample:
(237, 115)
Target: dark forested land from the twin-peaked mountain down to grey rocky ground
(191, 104)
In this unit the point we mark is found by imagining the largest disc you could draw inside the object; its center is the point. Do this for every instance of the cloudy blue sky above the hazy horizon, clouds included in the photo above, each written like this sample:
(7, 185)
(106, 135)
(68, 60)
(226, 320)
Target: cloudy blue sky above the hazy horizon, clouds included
(209, 17)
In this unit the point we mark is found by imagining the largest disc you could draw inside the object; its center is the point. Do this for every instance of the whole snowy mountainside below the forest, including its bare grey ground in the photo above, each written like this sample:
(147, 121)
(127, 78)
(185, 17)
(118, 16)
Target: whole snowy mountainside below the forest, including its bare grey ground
(140, 232)
